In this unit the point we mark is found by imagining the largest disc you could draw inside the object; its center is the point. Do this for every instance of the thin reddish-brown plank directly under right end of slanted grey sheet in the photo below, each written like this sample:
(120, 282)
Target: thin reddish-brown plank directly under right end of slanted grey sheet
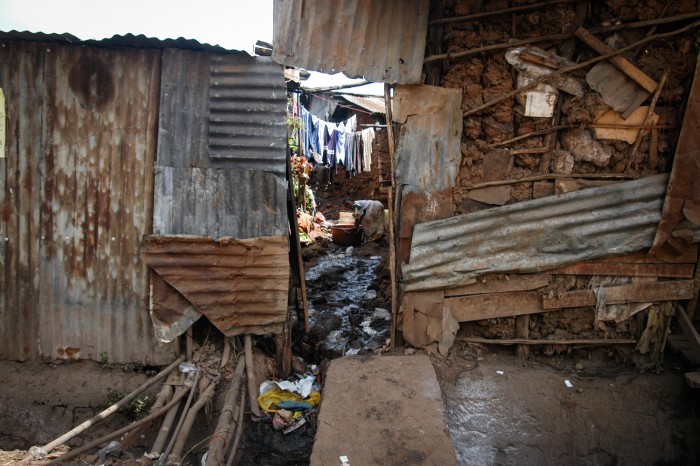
(627, 269)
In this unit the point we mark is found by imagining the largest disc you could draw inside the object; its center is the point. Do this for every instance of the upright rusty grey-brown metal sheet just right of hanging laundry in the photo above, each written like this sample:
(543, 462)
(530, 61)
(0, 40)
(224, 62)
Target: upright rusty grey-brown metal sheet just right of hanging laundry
(427, 157)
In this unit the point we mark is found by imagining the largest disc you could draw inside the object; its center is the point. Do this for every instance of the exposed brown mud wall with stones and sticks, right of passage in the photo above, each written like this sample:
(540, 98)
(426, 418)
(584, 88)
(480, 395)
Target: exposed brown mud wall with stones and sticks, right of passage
(505, 142)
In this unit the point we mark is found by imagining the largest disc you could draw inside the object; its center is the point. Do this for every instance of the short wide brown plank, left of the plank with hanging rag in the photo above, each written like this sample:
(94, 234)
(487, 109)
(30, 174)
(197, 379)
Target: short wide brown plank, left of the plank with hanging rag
(491, 306)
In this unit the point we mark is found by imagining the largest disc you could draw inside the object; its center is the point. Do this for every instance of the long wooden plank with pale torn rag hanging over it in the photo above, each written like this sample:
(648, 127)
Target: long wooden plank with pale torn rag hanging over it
(632, 293)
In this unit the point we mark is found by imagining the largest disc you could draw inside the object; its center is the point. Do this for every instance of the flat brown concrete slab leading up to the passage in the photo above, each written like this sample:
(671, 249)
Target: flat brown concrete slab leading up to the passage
(382, 411)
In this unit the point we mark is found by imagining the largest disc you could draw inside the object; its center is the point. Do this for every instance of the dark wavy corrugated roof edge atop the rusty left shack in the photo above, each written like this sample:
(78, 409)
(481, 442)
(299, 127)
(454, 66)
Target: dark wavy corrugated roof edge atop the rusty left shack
(126, 40)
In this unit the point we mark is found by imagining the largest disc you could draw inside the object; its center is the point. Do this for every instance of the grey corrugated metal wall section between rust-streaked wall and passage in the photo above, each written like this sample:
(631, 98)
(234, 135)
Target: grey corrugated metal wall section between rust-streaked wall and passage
(229, 193)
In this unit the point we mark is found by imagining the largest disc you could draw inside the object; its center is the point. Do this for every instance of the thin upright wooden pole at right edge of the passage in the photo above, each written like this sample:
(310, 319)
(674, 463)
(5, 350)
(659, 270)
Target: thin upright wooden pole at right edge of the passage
(392, 215)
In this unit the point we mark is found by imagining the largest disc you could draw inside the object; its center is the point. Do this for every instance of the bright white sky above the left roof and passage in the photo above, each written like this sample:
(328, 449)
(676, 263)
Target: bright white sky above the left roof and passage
(232, 24)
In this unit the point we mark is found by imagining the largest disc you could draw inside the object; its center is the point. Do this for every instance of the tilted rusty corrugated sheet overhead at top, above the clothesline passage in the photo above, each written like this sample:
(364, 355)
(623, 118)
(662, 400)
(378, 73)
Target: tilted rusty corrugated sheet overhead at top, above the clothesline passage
(382, 41)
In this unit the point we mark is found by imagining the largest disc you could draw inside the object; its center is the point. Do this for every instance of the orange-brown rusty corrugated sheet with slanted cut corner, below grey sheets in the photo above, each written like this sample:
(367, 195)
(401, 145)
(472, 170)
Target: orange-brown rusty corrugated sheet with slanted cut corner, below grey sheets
(241, 286)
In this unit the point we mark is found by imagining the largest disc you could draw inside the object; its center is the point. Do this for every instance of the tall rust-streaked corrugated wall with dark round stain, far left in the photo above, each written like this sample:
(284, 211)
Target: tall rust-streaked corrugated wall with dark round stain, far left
(75, 200)
